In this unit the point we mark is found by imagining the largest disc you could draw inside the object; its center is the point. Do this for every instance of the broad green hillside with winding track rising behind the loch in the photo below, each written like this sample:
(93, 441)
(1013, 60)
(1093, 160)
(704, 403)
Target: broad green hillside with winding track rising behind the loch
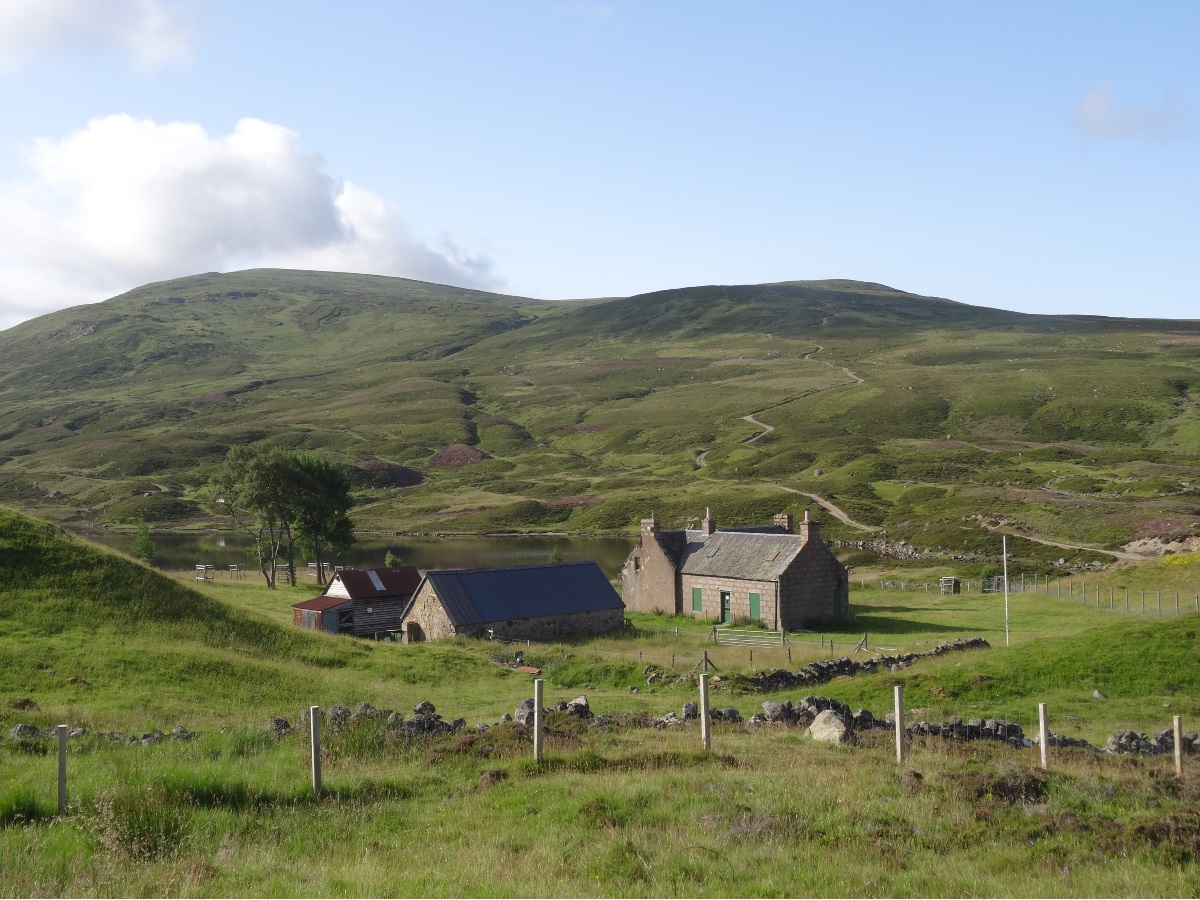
(929, 419)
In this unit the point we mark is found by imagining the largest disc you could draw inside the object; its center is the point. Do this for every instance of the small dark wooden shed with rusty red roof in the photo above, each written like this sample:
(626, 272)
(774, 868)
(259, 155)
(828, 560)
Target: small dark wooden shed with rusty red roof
(363, 603)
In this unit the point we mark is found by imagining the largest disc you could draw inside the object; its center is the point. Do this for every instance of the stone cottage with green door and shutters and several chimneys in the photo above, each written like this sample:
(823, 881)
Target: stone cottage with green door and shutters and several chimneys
(788, 580)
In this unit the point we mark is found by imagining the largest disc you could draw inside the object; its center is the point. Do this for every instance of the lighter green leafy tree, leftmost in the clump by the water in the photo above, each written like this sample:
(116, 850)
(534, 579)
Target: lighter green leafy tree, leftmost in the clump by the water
(259, 485)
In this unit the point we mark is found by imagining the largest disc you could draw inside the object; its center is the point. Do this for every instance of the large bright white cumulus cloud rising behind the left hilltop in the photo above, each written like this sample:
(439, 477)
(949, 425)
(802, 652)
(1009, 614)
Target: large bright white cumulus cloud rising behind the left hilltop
(127, 201)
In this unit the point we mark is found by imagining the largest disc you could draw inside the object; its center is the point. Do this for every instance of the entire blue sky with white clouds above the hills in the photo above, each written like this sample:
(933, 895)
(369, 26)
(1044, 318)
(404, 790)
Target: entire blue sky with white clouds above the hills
(1028, 157)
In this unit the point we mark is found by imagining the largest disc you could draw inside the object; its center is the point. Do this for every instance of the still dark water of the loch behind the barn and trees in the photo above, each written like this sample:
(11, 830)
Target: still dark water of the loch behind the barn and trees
(225, 549)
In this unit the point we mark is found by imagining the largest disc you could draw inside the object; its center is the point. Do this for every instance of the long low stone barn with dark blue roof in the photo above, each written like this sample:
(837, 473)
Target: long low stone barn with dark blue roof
(521, 603)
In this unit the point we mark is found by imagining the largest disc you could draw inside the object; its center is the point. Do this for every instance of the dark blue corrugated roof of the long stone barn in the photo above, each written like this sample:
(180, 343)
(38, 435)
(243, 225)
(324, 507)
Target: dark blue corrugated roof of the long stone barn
(473, 597)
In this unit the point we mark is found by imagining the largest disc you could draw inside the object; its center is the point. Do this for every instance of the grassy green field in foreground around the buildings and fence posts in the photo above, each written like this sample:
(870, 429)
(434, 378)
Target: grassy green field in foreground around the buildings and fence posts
(98, 640)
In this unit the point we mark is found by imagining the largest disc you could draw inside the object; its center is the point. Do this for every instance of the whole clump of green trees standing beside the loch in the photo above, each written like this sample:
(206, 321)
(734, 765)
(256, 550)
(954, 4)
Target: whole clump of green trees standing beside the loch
(287, 503)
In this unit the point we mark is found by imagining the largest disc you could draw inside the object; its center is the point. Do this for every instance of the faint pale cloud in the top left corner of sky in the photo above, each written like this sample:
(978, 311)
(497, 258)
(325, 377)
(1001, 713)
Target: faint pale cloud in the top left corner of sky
(151, 33)
